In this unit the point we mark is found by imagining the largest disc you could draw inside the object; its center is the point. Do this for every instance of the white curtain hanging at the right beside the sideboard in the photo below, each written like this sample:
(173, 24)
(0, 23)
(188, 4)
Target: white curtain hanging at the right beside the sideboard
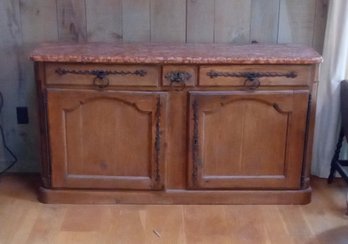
(332, 71)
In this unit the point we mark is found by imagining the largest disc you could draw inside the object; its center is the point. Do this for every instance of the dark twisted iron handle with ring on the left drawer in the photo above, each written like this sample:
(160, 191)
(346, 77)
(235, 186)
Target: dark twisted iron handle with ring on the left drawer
(100, 79)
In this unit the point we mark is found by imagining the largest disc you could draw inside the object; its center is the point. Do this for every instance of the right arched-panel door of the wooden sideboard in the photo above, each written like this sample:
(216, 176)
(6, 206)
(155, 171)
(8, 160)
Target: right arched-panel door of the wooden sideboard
(246, 140)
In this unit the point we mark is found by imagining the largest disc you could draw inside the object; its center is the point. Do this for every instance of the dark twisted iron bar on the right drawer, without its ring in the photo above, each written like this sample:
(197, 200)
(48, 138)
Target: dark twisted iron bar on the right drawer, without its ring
(251, 75)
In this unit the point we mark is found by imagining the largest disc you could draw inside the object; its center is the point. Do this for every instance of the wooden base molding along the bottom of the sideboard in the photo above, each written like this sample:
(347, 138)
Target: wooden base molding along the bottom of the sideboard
(72, 196)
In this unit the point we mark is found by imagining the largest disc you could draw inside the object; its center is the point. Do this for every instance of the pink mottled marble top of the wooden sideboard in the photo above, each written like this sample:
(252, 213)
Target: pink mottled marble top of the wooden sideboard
(175, 53)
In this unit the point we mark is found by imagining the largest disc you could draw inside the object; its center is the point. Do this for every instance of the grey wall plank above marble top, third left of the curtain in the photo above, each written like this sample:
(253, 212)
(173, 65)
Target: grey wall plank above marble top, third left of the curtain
(264, 21)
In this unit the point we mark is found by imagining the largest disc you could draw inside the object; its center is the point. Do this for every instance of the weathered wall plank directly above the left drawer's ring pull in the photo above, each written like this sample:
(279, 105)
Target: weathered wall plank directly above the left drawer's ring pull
(104, 20)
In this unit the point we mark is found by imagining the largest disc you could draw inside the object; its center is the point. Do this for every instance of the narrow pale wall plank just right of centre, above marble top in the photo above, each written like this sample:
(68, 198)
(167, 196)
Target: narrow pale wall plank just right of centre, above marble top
(200, 21)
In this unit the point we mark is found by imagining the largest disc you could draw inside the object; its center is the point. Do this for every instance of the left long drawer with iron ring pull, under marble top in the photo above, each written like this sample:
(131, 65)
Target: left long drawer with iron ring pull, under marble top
(102, 75)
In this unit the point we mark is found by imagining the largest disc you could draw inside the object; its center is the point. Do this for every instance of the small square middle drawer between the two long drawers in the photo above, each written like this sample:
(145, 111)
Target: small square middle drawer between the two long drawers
(179, 75)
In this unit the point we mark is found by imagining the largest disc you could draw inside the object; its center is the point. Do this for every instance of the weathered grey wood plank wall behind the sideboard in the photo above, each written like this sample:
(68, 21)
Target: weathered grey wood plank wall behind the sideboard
(25, 23)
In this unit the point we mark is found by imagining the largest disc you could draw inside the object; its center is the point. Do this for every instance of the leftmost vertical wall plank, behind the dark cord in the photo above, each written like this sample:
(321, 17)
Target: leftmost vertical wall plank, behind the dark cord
(10, 42)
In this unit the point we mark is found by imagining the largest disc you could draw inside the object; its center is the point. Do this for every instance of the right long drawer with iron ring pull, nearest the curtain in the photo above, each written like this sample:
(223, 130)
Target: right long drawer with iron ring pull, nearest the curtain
(255, 75)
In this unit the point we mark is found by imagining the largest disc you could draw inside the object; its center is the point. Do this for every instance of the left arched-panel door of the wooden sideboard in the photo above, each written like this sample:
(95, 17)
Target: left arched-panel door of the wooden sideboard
(106, 139)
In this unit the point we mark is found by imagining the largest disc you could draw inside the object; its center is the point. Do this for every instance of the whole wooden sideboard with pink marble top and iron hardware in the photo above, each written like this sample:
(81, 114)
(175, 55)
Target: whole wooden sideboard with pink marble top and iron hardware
(176, 123)
